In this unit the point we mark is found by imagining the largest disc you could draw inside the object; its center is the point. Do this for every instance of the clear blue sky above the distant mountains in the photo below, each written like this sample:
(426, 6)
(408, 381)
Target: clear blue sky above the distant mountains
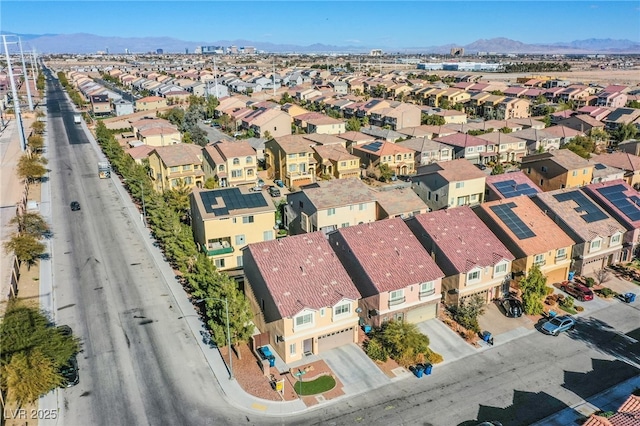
(381, 24)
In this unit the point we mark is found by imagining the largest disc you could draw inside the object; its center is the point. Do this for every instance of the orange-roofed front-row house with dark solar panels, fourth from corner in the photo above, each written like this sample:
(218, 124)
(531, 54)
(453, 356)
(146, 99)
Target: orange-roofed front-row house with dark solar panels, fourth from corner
(530, 235)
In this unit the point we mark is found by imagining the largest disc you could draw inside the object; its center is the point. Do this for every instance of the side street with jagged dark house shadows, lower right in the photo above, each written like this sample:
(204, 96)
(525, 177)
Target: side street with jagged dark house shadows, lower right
(517, 383)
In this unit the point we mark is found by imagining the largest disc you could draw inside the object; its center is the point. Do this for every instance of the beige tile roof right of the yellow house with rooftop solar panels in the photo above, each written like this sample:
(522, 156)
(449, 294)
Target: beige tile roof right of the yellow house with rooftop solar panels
(337, 193)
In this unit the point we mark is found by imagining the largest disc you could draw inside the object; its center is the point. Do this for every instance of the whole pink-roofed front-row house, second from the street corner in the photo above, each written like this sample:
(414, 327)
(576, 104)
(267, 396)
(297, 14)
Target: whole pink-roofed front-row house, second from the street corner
(393, 273)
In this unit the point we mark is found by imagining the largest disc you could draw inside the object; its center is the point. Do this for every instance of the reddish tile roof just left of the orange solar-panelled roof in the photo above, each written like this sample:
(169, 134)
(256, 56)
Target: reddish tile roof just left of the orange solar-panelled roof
(463, 238)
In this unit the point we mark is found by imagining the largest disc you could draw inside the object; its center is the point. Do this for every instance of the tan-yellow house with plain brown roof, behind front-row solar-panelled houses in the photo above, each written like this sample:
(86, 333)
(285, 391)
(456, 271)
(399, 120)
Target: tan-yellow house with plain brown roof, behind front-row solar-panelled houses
(557, 169)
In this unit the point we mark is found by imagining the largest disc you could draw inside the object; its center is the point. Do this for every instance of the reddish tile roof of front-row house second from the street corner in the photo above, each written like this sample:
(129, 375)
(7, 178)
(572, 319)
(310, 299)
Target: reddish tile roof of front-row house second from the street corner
(390, 255)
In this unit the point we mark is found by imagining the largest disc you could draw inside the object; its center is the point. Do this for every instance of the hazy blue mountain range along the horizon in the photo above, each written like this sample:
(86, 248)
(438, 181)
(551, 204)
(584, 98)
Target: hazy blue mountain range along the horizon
(90, 43)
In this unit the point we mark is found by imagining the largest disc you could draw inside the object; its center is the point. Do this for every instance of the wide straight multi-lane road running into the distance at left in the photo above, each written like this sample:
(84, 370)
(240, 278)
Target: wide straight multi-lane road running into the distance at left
(140, 364)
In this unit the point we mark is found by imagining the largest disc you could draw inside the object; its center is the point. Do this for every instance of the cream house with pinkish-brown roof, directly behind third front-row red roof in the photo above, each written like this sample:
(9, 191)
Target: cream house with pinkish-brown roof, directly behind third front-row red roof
(449, 184)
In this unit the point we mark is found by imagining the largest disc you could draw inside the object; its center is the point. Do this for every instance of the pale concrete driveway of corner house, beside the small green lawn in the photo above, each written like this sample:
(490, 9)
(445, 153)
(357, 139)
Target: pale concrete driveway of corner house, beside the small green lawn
(355, 369)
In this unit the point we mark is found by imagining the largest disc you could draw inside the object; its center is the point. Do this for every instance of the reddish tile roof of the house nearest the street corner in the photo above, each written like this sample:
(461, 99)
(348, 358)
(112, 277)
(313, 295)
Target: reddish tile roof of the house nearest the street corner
(302, 272)
